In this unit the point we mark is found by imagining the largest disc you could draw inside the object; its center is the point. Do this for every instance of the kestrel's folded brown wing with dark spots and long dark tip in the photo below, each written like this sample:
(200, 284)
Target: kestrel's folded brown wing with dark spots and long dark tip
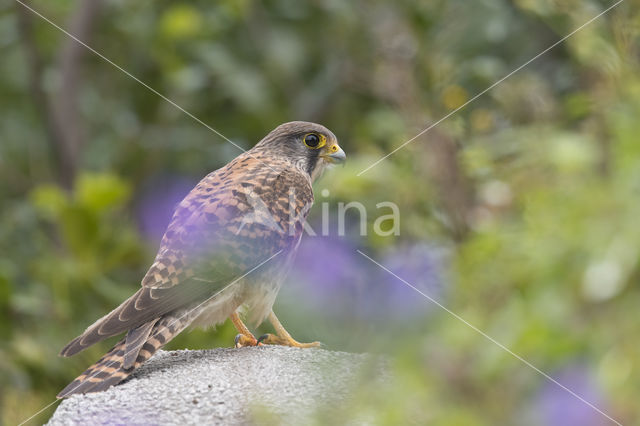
(228, 224)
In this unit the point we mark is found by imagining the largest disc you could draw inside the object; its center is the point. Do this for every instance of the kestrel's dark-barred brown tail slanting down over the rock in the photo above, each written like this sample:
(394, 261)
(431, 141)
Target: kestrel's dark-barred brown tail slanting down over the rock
(118, 364)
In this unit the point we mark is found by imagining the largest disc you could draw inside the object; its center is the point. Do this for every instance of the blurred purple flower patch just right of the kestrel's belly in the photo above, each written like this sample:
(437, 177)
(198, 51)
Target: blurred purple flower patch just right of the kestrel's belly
(331, 276)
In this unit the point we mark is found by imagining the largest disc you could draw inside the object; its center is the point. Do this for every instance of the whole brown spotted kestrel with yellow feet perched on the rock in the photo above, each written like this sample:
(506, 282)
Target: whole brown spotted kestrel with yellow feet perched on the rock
(226, 251)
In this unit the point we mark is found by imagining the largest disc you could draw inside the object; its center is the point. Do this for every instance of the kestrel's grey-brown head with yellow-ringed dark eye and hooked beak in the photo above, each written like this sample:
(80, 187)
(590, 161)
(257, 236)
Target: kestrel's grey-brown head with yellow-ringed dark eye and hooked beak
(309, 146)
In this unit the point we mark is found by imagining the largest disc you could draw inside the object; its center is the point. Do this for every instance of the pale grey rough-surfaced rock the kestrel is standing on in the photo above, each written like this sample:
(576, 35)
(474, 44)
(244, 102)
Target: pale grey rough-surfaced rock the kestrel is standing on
(221, 386)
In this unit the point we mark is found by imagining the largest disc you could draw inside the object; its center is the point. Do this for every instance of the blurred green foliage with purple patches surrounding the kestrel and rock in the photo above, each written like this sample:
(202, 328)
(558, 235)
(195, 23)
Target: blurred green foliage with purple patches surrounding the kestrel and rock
(519, 213)
